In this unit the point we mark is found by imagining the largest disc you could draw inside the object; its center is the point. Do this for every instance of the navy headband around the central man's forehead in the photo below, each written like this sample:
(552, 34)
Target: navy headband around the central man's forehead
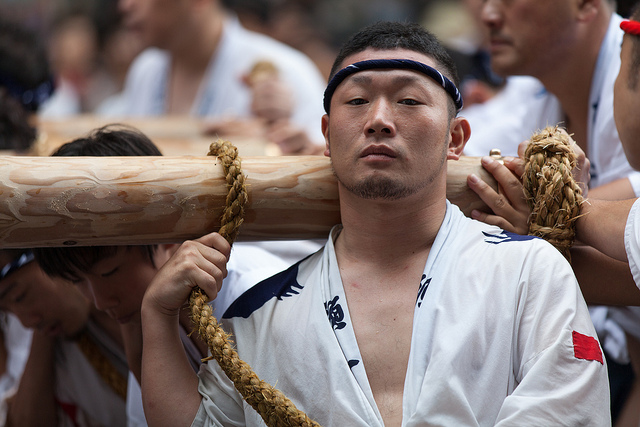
(405, 64)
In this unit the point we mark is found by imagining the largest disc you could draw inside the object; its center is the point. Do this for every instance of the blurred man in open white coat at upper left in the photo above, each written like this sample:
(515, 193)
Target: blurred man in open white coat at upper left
(198, 61)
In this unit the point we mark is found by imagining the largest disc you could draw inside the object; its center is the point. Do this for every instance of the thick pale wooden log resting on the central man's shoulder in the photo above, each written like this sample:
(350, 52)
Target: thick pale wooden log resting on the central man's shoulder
(58, 201)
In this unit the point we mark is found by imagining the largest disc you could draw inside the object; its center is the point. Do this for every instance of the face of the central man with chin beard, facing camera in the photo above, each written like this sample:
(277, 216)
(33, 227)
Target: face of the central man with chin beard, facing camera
(388, 132)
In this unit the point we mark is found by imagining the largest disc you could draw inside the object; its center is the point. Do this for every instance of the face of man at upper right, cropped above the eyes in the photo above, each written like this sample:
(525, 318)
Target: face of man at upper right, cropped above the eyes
(527, 37)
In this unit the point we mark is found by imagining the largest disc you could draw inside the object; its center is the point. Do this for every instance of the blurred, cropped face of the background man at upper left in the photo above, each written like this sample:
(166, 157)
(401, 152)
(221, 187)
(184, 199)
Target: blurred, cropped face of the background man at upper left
(157, 22)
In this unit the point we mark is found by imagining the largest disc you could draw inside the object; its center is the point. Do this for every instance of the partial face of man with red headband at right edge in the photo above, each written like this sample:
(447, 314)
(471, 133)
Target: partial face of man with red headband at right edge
(626, 104)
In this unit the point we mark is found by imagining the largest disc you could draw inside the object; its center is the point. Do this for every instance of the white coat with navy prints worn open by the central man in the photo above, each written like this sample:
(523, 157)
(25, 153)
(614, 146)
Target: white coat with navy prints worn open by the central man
(501, 336)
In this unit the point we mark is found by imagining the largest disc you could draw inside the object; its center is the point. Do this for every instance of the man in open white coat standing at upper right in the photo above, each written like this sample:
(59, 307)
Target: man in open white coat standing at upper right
(541, 39)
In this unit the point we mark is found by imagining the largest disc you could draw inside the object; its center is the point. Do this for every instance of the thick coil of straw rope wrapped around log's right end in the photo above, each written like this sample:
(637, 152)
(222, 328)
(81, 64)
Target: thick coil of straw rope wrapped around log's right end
(551, 192)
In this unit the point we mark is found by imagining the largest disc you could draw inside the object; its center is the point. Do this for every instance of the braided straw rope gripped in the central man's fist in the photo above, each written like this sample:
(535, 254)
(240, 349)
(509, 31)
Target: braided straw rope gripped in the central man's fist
(274, 408)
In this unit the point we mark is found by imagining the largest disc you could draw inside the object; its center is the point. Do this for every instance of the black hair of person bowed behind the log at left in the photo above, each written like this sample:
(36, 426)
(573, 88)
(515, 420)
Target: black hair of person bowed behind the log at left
(110, 140)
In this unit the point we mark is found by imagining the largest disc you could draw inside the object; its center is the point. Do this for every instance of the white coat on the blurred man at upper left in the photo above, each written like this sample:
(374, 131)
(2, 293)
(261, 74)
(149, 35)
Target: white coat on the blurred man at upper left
(223, 93)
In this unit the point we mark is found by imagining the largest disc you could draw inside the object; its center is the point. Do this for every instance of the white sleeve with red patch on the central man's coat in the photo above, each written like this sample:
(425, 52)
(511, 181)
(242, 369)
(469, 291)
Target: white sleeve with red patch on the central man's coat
(560, 372)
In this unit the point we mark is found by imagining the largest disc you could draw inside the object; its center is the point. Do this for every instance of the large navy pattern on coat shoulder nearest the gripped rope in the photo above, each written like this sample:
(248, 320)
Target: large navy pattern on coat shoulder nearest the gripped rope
(281, 285)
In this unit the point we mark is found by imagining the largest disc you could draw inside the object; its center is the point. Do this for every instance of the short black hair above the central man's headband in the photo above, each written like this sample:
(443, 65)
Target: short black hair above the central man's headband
(385, 35)
